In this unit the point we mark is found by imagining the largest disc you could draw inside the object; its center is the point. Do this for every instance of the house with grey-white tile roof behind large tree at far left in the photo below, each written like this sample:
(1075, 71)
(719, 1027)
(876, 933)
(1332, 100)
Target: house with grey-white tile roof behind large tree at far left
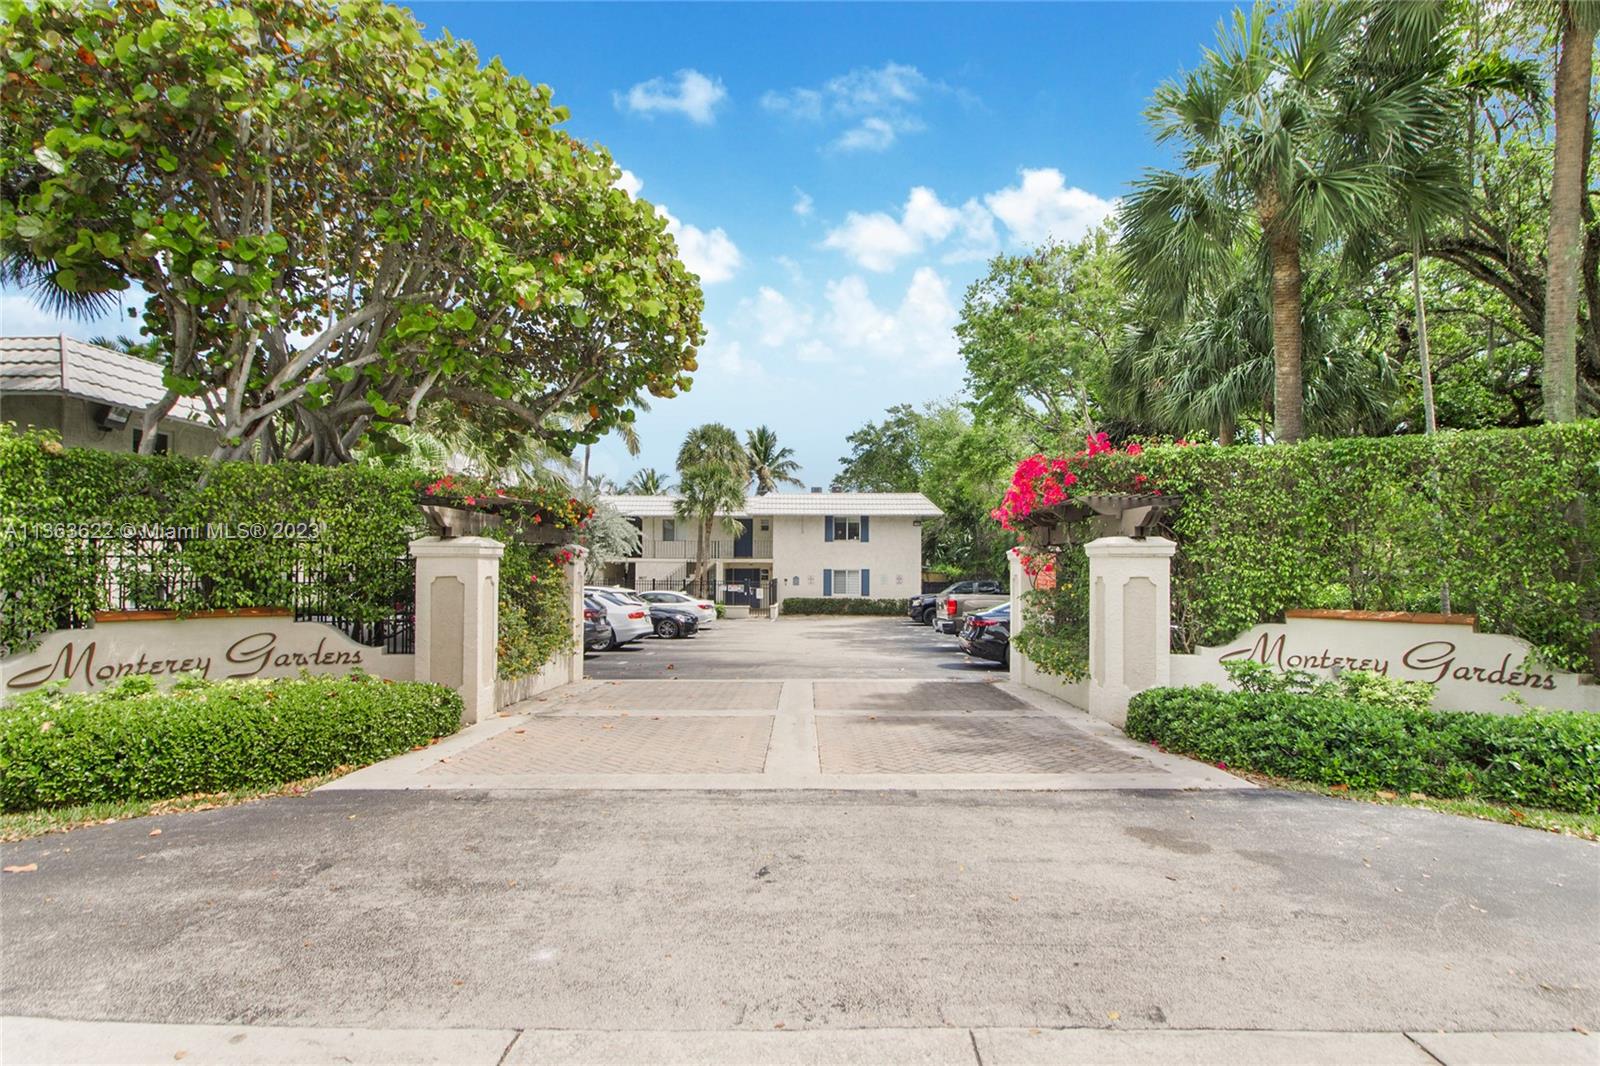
(94, 396)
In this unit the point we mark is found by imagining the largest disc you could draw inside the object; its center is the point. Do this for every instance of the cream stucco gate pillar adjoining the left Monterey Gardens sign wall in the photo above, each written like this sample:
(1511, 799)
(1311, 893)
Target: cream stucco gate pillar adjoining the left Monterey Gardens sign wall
(458, 617)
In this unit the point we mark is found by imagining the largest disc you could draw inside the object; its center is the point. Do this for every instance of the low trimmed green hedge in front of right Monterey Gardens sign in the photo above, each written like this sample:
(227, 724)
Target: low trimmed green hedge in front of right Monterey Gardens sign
(1540, 759)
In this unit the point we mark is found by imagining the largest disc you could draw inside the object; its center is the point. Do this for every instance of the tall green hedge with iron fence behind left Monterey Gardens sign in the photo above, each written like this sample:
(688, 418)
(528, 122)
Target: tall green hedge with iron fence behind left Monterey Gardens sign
(54, 500)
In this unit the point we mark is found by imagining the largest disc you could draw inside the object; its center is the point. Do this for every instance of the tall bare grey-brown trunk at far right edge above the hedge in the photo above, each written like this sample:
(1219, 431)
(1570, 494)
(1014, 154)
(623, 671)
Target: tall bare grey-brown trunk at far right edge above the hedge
(1574, 73)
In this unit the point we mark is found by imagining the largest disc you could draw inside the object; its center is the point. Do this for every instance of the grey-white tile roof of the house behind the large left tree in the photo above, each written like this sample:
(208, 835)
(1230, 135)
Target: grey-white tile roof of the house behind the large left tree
(63, 366)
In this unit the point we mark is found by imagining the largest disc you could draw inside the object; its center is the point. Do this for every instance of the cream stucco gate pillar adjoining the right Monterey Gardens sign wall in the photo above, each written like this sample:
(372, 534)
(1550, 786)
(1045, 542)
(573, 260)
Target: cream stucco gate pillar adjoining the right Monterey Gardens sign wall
(1130, 617)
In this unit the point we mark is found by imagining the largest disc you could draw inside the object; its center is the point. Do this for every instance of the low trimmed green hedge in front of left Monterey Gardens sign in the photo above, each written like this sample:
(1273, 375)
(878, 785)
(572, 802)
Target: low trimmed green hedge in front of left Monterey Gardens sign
(135, 742)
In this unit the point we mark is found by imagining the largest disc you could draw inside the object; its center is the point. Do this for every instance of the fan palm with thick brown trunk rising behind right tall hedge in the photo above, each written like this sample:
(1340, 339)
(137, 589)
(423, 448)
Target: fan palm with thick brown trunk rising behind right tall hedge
(1290, 137)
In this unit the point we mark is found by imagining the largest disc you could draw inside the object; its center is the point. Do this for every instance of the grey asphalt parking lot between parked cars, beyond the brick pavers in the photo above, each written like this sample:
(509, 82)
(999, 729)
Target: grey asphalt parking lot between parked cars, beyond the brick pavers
(794, 647)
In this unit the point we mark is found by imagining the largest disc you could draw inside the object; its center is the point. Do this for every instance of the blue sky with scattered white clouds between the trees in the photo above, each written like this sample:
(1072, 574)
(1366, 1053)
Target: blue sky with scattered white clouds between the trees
(838, 175)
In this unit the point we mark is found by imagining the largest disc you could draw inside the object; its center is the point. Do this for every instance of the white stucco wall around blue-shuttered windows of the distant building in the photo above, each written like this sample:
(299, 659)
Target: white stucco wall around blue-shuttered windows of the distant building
(894, 555)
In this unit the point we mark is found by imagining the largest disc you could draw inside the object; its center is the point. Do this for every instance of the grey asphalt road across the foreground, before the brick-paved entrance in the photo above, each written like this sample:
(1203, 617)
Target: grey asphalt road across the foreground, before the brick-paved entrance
(748, 910)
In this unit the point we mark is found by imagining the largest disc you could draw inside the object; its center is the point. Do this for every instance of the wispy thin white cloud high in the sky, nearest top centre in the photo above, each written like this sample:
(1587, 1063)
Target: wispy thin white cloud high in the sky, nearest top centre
(876, 105)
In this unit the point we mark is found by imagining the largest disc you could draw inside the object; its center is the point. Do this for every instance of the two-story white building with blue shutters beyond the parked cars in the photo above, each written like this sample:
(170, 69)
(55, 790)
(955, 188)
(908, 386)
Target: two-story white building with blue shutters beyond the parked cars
(790, 545)
